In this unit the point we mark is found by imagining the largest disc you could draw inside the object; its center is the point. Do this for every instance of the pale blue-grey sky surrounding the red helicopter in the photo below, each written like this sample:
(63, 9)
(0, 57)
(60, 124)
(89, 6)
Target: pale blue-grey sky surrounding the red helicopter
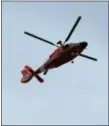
(72, 94)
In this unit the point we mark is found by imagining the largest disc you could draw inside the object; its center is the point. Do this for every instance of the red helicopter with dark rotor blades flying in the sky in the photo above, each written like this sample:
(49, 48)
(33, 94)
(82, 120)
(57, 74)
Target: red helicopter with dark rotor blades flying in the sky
(64, 53)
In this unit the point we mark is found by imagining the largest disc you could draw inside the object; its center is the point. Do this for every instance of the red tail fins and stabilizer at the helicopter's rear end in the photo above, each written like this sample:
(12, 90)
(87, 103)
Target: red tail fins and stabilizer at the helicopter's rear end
(28, 73)
